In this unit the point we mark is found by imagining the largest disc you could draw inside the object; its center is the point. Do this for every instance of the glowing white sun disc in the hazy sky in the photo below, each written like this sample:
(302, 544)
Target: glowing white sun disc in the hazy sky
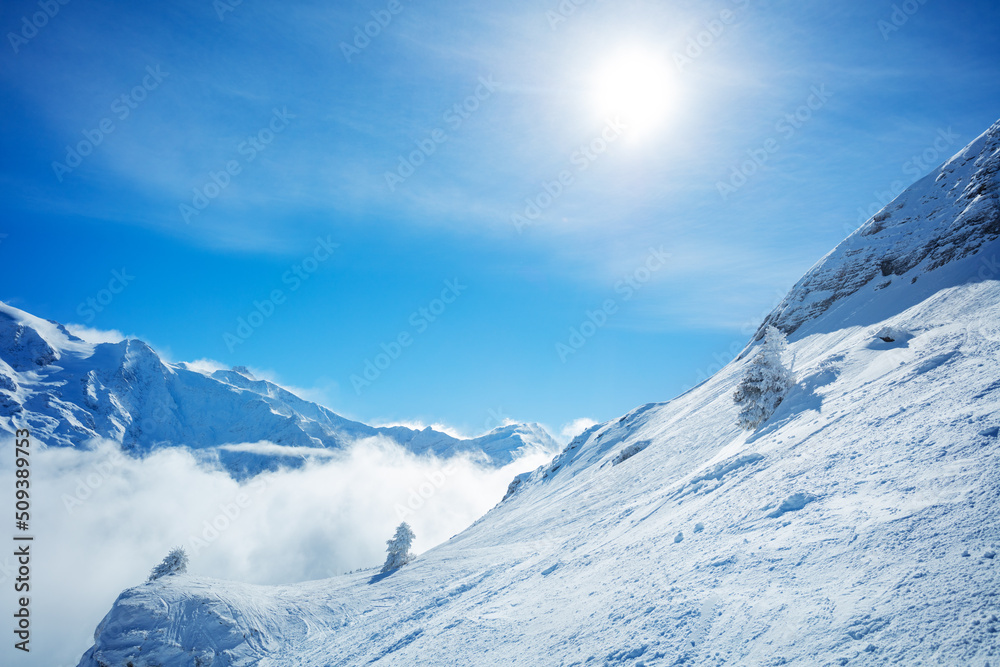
(635, 85)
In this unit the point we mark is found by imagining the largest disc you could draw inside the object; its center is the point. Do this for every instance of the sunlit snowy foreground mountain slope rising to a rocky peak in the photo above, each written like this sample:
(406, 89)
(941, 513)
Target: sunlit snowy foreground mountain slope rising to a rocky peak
(859, 525)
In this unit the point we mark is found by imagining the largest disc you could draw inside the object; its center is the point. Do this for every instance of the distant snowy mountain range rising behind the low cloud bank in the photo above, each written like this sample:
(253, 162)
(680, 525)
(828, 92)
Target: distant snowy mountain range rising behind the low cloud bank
(69, 391)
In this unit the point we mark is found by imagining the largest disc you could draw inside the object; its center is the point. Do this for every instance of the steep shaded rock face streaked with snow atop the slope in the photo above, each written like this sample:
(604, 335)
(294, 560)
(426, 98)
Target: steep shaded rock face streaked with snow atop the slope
(946, 216)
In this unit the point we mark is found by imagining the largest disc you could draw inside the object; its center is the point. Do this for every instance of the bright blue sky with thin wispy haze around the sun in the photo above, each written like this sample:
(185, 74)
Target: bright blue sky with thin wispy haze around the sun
(228, 144)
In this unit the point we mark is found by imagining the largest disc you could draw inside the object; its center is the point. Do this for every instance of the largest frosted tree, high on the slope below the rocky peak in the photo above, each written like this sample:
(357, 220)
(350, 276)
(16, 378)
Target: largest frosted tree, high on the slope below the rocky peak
(765, 382)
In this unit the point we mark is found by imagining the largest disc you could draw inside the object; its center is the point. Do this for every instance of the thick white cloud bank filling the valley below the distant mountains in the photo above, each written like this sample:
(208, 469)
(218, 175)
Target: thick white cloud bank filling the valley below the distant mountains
(102, 520)
